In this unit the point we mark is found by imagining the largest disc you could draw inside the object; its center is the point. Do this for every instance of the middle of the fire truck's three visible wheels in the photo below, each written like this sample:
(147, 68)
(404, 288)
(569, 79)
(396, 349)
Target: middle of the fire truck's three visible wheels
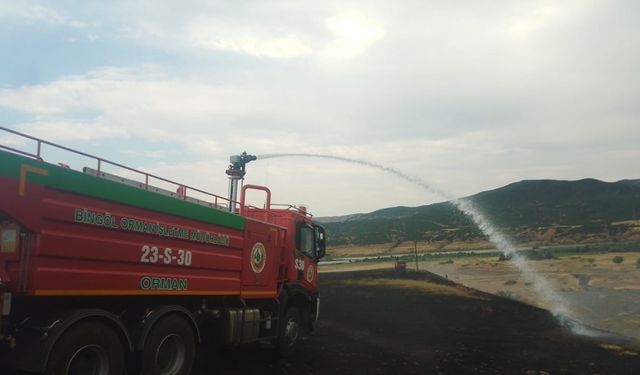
(170, 348)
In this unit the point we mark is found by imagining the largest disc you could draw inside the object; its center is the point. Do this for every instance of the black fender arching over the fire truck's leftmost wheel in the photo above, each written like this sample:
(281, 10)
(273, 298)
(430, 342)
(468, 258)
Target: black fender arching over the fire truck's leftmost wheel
(38, 335)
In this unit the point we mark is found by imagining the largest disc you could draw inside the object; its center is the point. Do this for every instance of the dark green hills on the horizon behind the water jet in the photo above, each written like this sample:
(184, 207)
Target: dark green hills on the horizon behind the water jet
(530, 210)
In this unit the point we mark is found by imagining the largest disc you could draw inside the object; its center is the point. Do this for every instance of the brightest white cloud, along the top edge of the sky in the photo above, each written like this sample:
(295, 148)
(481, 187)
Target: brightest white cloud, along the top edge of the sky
(274, 31)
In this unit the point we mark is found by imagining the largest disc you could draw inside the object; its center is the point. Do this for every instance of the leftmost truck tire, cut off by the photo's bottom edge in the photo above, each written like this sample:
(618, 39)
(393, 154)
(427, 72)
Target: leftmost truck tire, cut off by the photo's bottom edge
(87, 348)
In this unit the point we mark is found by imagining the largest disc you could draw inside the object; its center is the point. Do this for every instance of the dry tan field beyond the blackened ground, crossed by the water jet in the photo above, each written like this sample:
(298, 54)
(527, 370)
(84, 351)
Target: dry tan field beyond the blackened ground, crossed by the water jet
(598, 291)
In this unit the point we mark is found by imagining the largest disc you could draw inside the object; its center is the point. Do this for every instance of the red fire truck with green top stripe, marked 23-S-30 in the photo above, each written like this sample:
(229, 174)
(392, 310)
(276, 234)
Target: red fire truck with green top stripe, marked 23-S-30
(101, 274)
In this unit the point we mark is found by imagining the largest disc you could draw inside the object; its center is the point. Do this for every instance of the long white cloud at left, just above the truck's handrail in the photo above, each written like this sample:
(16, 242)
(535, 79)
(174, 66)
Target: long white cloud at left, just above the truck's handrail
(127, 93)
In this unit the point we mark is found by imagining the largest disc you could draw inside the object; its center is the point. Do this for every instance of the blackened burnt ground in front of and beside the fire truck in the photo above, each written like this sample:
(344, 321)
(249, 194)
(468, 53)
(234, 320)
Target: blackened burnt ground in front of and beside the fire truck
(387, 322)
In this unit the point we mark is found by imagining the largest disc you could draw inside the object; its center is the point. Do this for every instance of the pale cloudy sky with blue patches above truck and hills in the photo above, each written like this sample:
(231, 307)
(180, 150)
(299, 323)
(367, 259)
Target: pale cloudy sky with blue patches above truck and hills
(467, 95)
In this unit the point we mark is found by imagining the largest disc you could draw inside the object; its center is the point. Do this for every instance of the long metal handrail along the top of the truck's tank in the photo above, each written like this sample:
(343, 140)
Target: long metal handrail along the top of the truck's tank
(38, 155)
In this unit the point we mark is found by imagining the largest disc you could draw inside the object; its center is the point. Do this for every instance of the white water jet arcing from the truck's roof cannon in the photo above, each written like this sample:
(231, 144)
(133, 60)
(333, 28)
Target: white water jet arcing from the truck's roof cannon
(542, 287)
